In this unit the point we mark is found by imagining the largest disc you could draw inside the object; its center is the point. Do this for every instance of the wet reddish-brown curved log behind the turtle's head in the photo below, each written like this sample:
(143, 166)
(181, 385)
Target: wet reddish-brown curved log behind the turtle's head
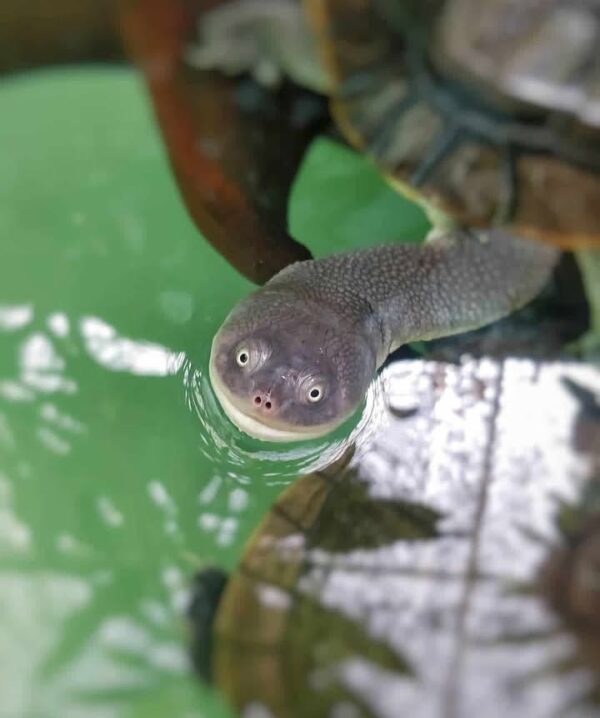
(234, 148)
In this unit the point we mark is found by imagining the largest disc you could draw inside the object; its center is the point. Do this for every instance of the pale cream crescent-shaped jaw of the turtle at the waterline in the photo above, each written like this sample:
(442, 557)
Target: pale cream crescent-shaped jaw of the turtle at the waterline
(242, 415)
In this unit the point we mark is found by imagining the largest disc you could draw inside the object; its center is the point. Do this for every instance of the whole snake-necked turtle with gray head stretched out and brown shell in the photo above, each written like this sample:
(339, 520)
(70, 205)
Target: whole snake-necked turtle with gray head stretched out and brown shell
(487, 112)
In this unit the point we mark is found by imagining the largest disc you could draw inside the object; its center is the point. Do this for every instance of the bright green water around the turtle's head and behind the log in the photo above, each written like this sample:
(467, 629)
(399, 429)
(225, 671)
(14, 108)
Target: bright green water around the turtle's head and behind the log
(117, 482)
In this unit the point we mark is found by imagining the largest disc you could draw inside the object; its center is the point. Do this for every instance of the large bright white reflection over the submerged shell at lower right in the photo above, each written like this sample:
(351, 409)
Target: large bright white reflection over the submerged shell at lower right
(495, 448)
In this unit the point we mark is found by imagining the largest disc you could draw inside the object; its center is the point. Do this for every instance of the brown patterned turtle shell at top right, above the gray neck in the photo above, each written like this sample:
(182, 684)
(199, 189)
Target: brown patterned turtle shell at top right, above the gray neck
(487, 109)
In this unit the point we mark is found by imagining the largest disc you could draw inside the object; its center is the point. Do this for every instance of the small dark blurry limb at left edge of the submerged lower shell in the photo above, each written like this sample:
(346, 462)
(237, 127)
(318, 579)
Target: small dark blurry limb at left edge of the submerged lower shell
(207, 589)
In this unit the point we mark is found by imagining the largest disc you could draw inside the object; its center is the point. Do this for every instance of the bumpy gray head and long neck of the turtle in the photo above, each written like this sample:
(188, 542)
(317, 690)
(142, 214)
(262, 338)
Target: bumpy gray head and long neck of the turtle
(331, 322)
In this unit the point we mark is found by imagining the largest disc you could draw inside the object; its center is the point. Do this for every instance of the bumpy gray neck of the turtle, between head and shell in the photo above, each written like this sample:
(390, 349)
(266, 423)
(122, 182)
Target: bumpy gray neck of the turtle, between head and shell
(413, 292)
